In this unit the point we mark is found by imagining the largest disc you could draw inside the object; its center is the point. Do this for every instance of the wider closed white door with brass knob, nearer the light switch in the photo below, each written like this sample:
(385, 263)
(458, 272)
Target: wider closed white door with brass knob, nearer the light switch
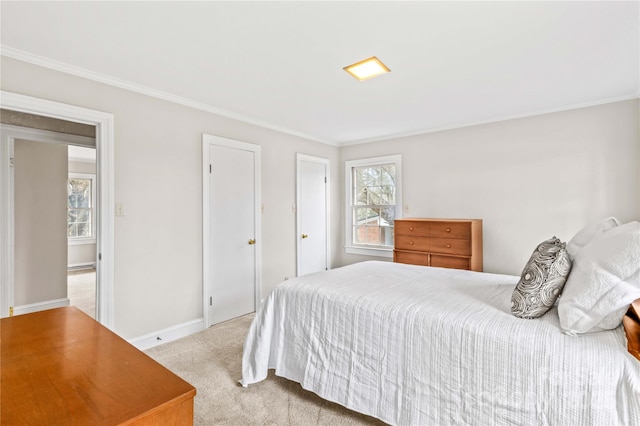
(233, 237)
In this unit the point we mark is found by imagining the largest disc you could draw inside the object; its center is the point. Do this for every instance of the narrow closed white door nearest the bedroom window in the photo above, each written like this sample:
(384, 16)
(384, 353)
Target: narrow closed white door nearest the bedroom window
(312, 209)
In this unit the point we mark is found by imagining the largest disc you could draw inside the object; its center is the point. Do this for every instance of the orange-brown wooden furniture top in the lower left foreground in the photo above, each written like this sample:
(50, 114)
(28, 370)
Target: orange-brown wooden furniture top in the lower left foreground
(62, 367)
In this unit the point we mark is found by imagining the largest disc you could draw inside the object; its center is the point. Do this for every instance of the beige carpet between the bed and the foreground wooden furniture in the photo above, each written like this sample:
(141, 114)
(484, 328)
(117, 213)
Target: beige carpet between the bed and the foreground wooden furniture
(211, 361)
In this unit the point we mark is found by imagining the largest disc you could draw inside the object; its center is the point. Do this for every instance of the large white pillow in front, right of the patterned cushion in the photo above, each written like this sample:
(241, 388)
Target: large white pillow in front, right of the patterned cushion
(604, 280)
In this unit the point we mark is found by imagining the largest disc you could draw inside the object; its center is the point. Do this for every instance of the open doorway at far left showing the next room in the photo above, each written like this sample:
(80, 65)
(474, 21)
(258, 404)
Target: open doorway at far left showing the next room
(53, 199)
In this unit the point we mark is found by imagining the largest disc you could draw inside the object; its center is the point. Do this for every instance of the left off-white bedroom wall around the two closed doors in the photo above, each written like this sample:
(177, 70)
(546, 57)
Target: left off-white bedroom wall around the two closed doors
(158, 150)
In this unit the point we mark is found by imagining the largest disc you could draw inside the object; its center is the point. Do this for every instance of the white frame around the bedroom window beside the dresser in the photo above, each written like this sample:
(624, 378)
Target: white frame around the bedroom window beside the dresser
(369, 250)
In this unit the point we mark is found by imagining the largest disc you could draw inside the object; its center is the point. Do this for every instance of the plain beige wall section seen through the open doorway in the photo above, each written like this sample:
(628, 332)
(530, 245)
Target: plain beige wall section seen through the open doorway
(40, 185)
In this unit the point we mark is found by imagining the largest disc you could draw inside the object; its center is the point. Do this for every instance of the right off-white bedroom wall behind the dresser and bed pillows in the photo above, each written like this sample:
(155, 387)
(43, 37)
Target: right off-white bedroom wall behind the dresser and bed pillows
(528, 179)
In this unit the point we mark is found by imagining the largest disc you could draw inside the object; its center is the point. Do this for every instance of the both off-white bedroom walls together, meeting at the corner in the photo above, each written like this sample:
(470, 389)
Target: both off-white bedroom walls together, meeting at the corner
(528, 179)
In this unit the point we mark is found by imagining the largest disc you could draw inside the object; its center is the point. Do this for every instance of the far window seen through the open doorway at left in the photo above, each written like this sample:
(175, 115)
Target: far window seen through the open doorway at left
(80, 208)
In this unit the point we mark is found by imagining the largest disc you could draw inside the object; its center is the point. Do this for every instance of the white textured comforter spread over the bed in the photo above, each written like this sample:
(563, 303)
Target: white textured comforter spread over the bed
(430, 346)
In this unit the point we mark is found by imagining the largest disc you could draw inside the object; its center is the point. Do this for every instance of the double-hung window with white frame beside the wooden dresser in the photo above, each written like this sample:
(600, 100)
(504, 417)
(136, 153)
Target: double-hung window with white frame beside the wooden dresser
(374, 200)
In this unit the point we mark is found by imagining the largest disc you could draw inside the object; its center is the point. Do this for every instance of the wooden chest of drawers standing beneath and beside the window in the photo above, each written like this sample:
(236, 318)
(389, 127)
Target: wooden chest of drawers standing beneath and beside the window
(447, 243)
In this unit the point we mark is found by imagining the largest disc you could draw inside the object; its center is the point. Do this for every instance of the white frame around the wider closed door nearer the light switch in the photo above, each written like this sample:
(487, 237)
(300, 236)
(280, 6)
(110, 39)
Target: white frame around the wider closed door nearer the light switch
(207, 238)
